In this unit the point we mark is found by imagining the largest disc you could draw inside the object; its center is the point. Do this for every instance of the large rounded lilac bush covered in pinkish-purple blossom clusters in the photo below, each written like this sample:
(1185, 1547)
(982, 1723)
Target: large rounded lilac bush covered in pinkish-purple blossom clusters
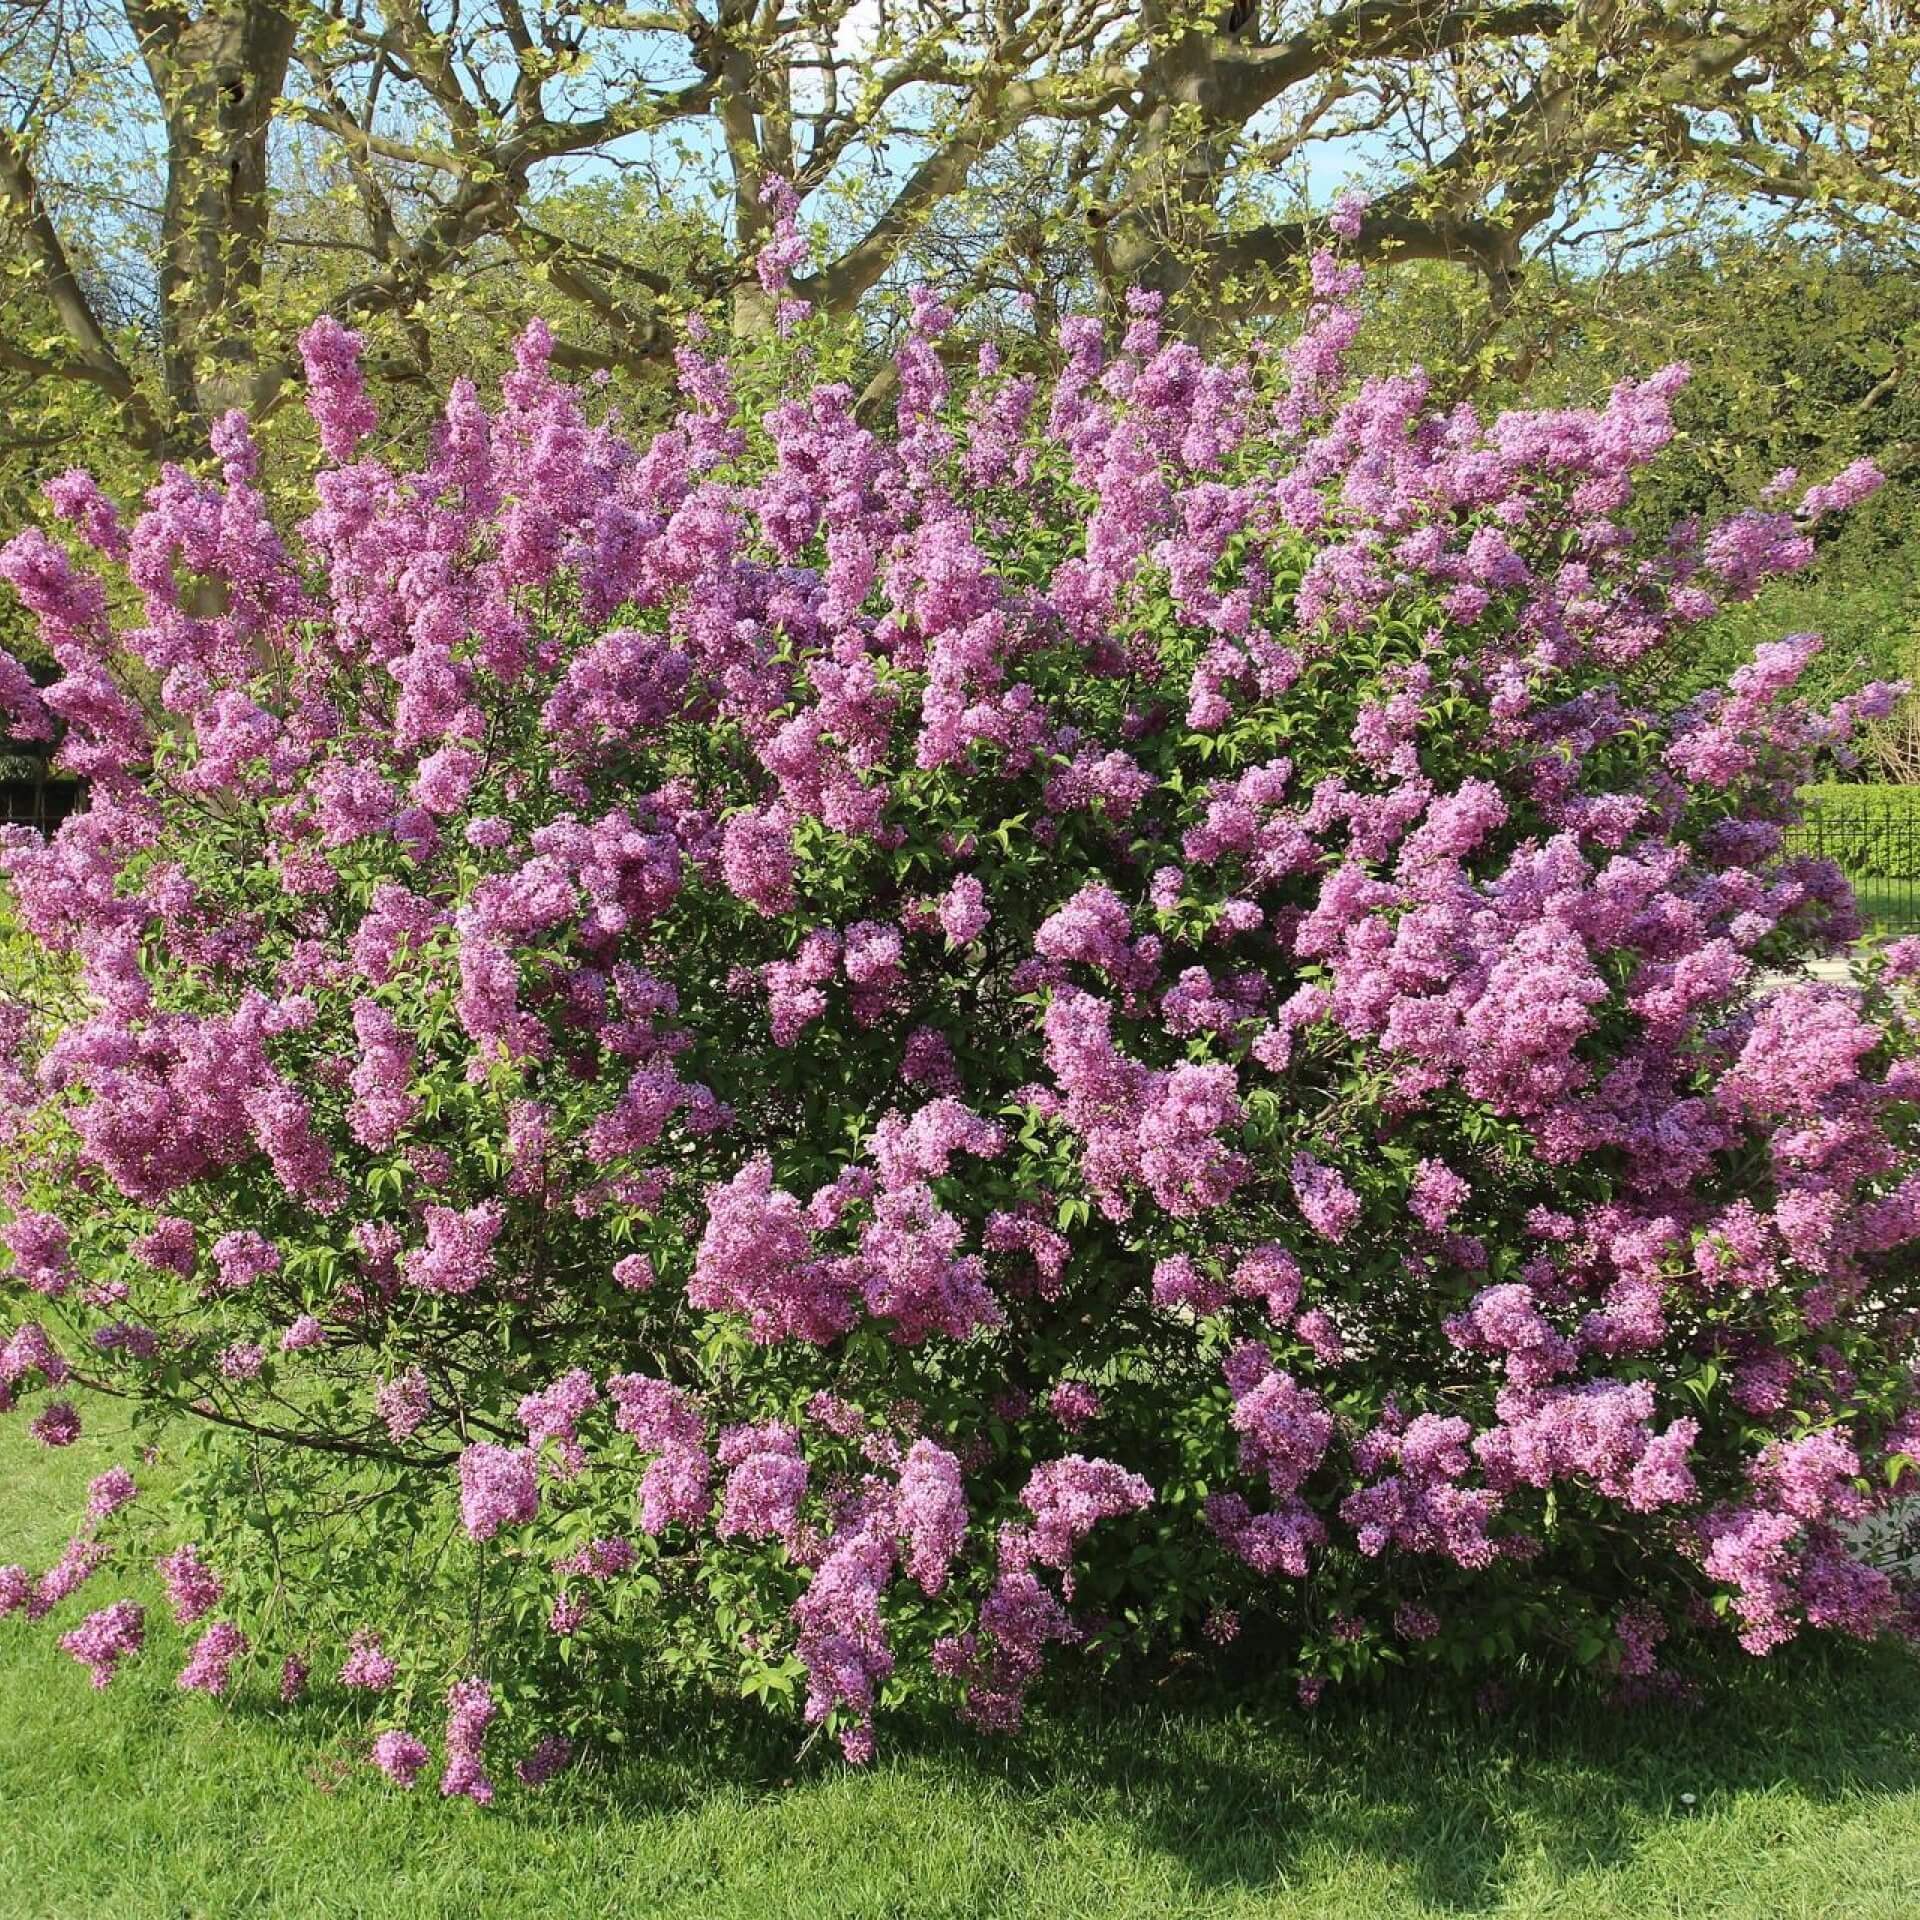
(846, 1063)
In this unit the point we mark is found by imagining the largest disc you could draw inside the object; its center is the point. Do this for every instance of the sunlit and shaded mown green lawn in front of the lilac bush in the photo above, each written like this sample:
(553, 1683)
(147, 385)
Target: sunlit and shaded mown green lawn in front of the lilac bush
(1792, 1794)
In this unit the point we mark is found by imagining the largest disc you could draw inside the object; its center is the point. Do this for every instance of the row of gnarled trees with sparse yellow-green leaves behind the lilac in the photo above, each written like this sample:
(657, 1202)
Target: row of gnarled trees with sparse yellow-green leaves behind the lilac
(187, 183)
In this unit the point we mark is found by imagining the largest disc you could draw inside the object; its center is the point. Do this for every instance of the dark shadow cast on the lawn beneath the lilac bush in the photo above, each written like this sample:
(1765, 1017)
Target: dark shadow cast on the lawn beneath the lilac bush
(1251, 1794)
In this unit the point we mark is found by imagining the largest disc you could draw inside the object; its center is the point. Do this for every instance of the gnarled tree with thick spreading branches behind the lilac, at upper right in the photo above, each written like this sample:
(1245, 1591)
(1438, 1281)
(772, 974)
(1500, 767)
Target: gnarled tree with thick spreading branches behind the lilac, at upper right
(1506, 130)
